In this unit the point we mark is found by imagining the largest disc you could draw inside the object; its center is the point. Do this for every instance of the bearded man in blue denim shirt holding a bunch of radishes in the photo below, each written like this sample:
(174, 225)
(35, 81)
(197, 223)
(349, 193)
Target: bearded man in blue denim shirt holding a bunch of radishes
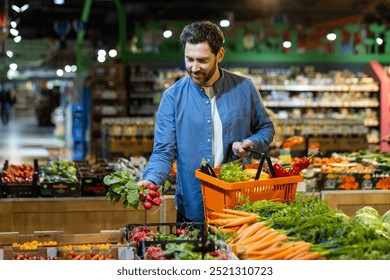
(211, 113)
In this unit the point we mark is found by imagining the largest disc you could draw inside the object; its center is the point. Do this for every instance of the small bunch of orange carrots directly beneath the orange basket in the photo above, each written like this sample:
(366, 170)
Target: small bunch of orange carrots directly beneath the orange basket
(230, 220)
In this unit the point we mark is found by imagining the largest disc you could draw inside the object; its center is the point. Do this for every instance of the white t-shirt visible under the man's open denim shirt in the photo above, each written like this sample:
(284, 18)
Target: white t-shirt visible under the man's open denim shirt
(217, 128)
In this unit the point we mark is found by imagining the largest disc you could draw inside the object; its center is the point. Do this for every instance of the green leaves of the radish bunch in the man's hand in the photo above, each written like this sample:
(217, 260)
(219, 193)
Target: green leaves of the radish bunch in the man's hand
(122, 188)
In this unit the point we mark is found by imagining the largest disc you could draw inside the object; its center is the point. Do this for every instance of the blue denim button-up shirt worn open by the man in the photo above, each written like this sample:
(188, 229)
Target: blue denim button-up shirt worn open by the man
(183, 132)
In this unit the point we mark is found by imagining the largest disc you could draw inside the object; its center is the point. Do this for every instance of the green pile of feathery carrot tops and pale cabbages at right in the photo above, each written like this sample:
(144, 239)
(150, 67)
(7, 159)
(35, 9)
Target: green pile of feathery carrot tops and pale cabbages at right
(336, 236)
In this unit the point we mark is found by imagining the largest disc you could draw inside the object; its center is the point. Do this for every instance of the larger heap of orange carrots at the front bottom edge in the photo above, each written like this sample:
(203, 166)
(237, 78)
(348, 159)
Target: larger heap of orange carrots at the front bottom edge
(259, 242)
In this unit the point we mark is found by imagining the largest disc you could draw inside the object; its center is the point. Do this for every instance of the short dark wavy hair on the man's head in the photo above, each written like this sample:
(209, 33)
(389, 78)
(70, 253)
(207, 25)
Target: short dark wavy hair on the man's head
(203, 31)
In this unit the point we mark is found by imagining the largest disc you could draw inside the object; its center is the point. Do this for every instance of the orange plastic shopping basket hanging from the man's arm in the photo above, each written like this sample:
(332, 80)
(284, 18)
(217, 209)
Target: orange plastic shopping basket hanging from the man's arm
(218, 194)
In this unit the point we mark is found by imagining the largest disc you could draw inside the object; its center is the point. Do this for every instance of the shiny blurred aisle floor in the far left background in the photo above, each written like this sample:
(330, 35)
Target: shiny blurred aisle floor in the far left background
(22, 140)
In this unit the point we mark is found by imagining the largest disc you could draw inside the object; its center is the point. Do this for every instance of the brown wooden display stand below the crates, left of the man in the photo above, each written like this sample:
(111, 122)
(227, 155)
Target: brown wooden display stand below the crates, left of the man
(76, 215)
